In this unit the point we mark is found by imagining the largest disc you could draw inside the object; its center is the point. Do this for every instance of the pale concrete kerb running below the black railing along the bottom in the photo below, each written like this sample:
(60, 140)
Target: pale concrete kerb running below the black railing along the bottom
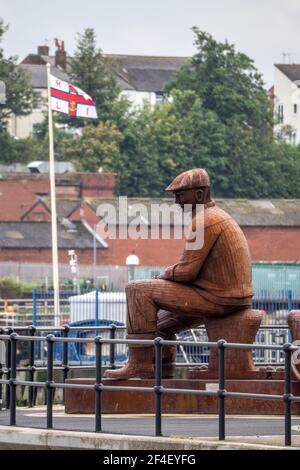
(14, 438)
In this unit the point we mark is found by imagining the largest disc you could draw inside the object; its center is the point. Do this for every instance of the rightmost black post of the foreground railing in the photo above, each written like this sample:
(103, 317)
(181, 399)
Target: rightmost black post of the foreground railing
(287, 395)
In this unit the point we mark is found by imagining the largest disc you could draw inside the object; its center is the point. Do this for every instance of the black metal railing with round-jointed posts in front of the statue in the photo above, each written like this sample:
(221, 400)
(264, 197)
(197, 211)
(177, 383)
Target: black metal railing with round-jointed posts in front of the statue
(158, 389)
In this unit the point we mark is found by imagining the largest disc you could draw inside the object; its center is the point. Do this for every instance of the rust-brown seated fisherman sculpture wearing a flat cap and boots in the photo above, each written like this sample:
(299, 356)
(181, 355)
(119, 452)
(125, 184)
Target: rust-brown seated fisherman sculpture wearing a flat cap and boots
(212, 281)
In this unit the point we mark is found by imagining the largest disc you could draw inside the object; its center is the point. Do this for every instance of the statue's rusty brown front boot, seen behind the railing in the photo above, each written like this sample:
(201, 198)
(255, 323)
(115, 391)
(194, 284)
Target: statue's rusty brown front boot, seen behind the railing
(138, 365)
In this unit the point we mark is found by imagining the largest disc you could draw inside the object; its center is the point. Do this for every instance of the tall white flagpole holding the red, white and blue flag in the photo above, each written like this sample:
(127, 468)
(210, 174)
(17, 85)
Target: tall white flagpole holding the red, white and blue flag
(53, 207)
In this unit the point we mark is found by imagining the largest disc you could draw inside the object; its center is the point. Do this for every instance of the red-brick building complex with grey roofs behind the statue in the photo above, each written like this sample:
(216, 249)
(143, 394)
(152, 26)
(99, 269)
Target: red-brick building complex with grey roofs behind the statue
(272, 227)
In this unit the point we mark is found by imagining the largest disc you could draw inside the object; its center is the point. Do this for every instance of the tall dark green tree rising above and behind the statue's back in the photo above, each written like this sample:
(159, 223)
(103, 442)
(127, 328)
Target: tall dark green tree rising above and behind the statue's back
(230, 86)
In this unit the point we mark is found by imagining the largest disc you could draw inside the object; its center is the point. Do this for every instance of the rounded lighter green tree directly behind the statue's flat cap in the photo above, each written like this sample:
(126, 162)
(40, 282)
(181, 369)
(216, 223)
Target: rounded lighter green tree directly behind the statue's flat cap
(165, 140)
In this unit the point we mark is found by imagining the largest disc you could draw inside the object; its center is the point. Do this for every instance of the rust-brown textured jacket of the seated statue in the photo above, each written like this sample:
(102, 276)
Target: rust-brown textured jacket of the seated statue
(221, 270)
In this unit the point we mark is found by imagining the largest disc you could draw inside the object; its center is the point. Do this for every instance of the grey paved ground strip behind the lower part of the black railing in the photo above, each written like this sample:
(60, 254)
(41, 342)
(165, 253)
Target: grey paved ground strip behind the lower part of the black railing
(178, 425)
